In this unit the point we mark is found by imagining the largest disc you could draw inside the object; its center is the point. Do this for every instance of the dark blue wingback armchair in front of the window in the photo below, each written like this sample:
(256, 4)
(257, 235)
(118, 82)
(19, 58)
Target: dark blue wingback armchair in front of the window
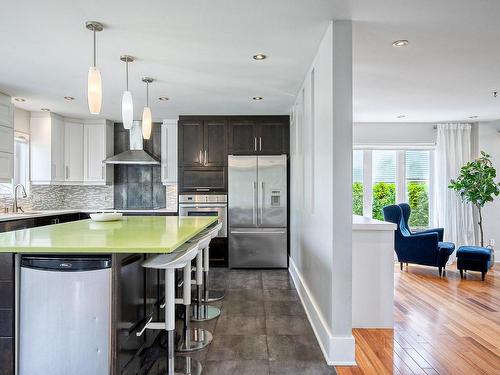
(417, 248)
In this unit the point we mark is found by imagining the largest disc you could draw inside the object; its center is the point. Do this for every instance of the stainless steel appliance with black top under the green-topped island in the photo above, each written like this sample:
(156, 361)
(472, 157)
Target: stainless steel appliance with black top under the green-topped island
(64, 318)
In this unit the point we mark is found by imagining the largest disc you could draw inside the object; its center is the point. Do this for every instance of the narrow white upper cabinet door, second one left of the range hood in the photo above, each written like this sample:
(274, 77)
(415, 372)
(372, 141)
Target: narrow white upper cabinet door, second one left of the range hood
(73, 154)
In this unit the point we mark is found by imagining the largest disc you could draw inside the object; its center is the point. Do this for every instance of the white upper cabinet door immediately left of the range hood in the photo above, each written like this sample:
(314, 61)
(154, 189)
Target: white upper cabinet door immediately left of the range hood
(98, 145)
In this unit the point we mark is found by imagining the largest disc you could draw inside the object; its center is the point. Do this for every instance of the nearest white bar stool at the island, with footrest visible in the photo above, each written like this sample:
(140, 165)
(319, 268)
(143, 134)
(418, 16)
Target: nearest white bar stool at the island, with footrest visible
(170, 262)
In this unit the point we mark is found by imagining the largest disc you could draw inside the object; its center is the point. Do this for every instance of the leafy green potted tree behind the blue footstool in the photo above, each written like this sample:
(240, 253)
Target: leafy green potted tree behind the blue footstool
(476, 185)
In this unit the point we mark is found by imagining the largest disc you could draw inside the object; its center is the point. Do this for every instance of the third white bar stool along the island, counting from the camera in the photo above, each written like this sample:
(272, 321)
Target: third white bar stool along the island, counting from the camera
(201, 311)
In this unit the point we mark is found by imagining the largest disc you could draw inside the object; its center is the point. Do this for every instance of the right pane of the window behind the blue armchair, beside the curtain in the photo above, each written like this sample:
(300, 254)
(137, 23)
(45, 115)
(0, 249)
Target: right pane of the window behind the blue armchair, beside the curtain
(417, 187)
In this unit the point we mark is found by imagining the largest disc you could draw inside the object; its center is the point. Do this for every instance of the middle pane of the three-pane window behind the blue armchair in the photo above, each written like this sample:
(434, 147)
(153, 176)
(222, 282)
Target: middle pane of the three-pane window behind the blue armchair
(383, 181)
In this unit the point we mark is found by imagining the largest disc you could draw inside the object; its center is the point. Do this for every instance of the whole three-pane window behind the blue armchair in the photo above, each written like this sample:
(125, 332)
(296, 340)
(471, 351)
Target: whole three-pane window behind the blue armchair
(384, 177)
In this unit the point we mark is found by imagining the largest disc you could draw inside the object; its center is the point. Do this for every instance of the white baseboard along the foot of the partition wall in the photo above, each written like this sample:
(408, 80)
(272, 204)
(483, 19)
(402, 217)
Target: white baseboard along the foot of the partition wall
(338, 351)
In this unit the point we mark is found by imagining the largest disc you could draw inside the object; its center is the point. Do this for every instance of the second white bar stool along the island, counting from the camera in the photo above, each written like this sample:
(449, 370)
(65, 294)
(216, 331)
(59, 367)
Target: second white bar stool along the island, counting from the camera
(193, 338)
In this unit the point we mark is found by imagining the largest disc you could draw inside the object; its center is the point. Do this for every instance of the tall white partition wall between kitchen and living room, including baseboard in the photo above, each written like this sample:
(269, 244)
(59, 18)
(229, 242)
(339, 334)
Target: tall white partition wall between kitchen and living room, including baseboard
(321, 173)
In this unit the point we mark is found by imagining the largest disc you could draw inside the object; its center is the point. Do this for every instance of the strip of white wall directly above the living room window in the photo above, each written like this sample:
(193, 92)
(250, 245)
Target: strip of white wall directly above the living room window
(394, 133)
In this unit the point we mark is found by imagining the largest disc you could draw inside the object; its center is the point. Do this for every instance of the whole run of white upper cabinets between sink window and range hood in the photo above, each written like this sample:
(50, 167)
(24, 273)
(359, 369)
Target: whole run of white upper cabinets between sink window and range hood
(69, 151)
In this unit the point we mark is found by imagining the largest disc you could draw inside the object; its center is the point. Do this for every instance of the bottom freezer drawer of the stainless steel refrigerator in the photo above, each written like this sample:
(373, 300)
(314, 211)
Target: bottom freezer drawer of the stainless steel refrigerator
(258, 248)
